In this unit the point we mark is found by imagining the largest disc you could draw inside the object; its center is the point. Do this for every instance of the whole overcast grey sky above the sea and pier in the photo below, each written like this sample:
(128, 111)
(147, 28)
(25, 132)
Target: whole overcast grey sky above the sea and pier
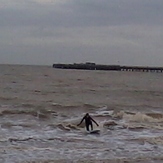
(43, 32)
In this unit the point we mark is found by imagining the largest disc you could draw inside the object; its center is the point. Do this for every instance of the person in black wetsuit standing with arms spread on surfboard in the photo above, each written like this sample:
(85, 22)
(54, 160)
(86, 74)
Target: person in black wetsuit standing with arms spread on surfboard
(88, 121)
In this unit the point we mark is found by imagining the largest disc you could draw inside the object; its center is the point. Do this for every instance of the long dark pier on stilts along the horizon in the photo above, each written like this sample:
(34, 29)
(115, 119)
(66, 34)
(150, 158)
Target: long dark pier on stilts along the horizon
(93, 66)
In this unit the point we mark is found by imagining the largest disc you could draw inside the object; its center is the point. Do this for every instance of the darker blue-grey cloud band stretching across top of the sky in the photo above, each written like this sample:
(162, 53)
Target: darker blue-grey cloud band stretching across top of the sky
(85, 13)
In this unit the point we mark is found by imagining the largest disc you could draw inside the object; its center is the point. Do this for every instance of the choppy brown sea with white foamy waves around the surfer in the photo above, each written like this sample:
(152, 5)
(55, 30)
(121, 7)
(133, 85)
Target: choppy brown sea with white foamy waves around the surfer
(40, 108)
